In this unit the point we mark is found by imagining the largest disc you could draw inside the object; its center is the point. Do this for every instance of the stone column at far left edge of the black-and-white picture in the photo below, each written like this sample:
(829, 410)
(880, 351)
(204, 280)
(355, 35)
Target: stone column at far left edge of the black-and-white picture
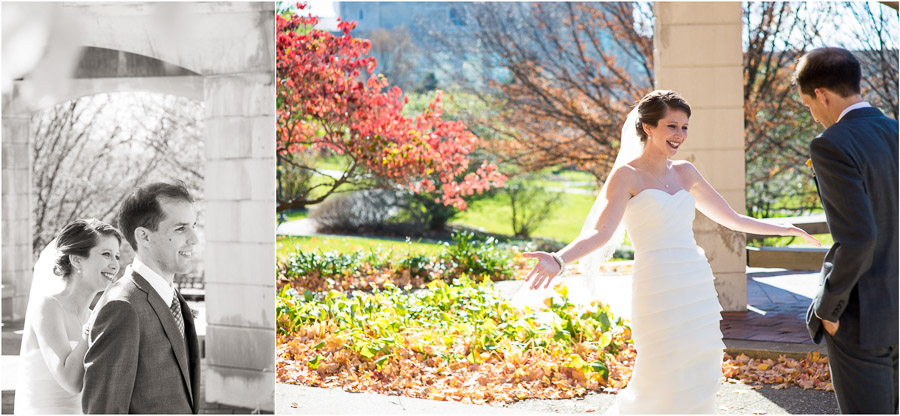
(16, 213)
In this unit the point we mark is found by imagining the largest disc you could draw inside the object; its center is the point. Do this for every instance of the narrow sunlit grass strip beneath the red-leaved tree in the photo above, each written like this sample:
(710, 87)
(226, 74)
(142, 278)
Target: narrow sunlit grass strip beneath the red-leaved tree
(344, 244)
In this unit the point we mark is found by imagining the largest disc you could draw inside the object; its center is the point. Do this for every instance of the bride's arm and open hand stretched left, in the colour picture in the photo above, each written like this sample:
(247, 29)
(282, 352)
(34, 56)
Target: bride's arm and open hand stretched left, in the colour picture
(617, 196)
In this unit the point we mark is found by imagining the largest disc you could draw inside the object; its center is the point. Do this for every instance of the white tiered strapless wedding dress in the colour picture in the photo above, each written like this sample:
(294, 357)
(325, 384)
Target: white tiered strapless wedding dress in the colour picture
(675, 310)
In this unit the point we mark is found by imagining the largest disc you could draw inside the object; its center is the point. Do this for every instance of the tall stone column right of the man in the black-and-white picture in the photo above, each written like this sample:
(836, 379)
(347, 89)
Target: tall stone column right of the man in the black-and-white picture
(239, 202)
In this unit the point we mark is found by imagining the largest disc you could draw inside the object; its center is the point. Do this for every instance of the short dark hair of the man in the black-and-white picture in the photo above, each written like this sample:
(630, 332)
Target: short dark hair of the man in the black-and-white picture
(142, 207)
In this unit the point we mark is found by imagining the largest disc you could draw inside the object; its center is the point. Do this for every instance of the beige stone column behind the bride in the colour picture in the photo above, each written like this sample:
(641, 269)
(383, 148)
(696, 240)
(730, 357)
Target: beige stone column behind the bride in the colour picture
(697, 52)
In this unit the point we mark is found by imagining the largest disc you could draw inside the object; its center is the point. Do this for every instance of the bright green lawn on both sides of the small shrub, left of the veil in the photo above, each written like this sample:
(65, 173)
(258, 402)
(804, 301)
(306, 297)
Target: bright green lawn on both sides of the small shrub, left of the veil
(493, 215)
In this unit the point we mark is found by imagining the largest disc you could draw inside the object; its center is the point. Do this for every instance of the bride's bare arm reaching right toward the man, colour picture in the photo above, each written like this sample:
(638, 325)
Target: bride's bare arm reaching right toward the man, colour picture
(714, 206)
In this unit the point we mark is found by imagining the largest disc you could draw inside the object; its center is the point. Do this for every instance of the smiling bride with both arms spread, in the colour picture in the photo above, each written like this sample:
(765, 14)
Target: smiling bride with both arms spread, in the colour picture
(675, 309)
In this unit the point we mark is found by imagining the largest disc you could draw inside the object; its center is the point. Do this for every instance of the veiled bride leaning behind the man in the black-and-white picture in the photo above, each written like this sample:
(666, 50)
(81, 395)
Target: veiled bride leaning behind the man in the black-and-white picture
(70, 271)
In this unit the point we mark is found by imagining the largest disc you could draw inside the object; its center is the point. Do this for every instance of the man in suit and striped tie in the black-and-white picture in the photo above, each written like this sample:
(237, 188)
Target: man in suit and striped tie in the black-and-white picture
(143, 354)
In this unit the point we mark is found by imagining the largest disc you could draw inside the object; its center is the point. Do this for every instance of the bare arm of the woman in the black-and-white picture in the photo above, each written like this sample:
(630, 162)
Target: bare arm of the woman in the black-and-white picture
(66, 363)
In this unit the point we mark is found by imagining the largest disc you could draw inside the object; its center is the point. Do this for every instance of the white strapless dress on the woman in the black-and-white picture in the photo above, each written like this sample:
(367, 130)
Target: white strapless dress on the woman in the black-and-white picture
(37, 392)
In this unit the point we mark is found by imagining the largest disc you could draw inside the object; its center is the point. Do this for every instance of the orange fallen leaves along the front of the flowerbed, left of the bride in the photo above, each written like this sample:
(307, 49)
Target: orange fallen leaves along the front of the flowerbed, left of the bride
(503, 377)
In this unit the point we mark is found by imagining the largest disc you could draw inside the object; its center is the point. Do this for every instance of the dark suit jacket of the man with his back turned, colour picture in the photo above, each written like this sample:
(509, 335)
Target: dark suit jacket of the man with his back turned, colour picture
(855, 162)
